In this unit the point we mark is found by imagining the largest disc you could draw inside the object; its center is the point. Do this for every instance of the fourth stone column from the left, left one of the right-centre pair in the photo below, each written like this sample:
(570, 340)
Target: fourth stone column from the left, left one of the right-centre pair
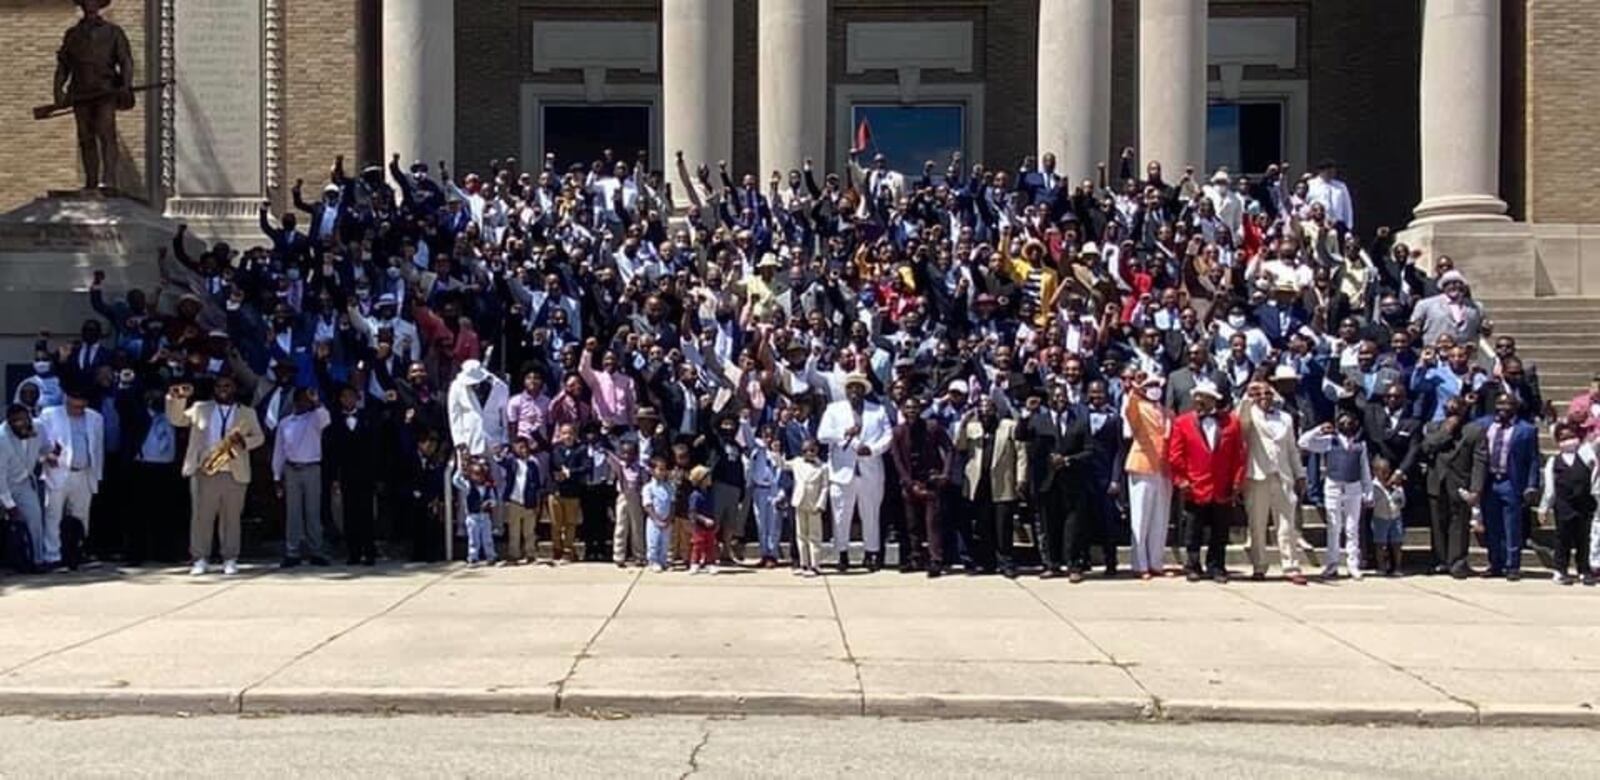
(1074, 84)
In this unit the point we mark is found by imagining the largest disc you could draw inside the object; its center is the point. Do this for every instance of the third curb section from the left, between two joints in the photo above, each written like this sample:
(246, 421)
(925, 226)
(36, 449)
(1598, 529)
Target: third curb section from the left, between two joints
(708, 702)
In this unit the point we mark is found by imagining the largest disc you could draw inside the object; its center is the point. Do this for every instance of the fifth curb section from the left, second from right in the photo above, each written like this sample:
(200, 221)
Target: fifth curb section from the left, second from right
(1318, 714)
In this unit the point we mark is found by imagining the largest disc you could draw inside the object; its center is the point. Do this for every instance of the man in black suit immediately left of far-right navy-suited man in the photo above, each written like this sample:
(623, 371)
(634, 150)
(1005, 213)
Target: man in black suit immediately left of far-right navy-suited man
(1458, 452)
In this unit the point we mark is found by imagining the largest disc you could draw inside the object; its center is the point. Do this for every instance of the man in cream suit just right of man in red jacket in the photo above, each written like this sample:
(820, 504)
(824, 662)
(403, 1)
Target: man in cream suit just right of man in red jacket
(1274, 477)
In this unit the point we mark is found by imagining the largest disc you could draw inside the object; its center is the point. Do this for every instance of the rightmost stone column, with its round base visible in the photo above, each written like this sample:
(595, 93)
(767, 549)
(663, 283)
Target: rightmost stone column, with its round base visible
(1460, 106)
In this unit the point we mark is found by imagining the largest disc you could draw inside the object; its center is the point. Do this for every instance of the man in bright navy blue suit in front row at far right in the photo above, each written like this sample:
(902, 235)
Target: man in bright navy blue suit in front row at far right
(1513, 485)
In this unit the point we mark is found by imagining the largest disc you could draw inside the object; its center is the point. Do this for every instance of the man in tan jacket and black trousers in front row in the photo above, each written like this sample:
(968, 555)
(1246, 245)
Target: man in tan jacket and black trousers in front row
(996, 476)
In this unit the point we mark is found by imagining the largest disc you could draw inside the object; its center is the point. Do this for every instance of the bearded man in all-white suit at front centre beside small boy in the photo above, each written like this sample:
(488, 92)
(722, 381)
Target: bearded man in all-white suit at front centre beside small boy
(857, 434)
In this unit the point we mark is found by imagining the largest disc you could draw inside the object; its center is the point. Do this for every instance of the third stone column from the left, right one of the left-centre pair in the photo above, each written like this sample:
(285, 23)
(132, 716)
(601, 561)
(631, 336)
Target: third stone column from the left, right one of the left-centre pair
(793, 71)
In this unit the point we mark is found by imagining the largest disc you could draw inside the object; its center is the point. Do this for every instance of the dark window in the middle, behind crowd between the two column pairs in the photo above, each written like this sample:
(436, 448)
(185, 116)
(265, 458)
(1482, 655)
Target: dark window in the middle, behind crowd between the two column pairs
(910, 135)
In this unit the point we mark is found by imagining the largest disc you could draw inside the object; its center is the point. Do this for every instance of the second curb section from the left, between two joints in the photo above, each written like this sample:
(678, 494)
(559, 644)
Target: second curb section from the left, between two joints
(287, 701)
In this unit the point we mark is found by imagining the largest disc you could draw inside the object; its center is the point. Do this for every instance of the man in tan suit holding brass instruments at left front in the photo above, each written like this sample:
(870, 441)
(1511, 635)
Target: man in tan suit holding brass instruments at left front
(218, 499)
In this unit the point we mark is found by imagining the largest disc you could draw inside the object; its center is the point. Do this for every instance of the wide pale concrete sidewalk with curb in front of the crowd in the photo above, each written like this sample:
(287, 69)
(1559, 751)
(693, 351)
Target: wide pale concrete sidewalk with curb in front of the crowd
(601, 640)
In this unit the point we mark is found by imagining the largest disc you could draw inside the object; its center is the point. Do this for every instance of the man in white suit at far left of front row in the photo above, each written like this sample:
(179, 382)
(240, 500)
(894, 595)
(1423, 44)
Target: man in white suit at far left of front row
(74, 445)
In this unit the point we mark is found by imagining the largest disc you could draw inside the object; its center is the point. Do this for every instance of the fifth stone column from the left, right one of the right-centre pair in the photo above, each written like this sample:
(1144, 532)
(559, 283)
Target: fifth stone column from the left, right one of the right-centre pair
(1172, 84)
